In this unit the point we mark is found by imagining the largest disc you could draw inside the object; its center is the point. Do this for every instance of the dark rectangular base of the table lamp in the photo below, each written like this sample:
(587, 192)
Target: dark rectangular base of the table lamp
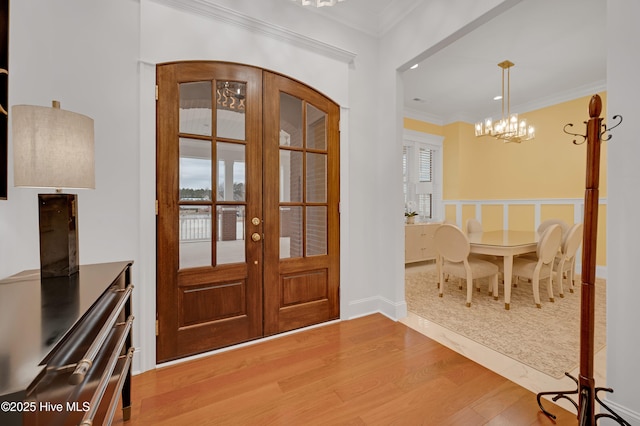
(58, 235)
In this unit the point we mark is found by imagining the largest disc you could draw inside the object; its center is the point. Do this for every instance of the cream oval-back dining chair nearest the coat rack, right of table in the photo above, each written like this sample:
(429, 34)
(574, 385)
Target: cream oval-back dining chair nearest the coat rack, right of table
(541, 267)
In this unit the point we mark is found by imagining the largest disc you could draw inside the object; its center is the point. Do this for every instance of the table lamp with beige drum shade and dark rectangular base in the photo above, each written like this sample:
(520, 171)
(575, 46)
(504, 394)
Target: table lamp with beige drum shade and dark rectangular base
(53, 148)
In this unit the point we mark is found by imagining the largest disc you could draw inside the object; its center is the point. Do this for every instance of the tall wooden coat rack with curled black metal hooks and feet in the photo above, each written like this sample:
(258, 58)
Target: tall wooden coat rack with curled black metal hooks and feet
(585, 384)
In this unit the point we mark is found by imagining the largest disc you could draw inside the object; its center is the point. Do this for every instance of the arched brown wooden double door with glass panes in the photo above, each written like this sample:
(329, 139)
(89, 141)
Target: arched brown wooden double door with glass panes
(247, 206)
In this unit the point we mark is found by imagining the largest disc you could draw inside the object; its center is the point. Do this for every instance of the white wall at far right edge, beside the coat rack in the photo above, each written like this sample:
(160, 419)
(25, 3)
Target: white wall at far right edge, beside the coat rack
(623, 227)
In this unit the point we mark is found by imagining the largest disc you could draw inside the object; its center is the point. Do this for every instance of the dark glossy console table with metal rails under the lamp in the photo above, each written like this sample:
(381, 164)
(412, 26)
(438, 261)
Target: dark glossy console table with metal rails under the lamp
(66, 346)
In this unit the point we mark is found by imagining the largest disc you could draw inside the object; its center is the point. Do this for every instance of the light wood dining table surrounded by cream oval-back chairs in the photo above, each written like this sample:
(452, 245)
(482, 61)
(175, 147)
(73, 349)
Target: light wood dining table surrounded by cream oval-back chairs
(506, 244)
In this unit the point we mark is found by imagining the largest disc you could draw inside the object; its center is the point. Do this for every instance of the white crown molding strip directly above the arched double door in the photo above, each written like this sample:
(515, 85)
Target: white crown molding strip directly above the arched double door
(224, 14)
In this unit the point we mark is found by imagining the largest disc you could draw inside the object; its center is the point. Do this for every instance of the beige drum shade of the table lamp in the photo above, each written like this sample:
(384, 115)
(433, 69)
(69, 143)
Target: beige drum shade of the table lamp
(52, 148)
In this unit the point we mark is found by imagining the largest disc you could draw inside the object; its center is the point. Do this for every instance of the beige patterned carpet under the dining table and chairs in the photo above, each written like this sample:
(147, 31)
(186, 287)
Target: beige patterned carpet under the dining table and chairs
(546, 339)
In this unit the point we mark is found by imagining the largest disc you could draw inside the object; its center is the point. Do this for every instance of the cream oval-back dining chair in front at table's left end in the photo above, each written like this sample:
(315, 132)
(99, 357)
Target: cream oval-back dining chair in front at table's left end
(453, 250)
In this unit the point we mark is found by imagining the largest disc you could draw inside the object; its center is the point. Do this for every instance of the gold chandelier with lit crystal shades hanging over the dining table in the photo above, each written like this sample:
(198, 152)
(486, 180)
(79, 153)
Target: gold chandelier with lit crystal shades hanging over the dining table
(509, 128)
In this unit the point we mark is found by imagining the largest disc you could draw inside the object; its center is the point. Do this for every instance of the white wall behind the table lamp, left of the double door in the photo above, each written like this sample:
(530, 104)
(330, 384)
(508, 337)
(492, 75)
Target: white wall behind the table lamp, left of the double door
(71, 52)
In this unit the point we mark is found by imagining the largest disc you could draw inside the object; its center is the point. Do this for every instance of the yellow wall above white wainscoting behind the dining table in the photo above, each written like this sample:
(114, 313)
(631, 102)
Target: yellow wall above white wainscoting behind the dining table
(549, 166)
